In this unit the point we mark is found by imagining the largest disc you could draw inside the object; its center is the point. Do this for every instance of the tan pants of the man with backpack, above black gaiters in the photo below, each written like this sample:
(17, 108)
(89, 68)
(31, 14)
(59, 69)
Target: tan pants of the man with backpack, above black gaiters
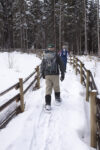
(52, 82)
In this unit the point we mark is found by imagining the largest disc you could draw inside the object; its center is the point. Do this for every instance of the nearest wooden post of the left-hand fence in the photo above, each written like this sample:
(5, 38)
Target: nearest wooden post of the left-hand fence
(21, 94)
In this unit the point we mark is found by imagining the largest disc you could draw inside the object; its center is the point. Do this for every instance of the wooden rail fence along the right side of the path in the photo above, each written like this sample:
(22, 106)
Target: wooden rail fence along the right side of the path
(86, 78)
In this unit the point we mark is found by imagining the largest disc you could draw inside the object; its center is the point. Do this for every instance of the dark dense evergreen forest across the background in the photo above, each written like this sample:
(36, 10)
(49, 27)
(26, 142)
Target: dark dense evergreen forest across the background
(26, 24)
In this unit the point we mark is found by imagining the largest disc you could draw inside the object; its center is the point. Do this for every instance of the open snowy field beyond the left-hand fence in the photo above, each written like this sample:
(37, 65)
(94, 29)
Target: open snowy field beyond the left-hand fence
(14, 66)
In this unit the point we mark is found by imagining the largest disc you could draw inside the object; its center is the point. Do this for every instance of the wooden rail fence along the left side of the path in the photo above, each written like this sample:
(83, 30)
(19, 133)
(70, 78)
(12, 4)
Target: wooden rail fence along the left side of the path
(6, 111)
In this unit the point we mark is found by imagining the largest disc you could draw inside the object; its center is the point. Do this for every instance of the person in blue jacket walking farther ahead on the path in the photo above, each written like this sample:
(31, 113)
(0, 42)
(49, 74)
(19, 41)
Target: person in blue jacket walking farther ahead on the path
(64, 55)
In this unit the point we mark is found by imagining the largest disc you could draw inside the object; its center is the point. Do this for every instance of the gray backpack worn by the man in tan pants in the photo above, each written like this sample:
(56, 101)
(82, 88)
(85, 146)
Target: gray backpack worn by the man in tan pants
(50, 62)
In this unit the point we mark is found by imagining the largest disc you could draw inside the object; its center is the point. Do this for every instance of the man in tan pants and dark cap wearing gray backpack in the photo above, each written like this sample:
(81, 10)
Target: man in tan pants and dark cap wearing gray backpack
(51, 63)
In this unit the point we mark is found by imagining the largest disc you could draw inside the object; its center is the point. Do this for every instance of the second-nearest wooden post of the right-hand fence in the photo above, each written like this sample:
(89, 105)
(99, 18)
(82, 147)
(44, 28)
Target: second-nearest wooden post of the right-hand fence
(87, 84)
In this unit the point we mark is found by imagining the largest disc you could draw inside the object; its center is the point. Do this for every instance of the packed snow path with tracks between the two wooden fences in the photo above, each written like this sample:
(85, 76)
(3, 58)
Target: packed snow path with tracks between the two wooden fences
(65, 128)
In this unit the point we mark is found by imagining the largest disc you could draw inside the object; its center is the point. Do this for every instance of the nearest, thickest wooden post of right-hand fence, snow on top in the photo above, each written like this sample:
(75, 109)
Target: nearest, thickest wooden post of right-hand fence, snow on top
(93, 127)
